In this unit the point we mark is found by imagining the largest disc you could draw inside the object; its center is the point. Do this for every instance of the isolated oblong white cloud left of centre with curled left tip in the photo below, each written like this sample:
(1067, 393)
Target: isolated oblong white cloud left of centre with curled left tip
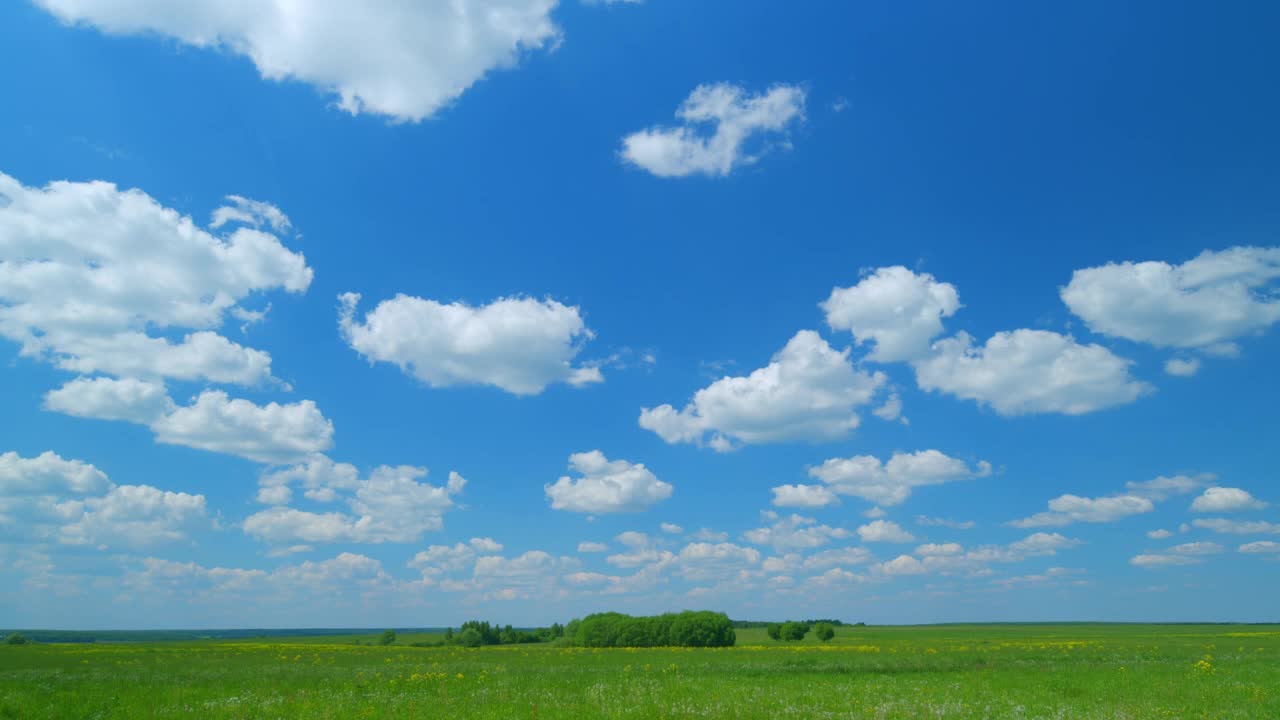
(515, 344)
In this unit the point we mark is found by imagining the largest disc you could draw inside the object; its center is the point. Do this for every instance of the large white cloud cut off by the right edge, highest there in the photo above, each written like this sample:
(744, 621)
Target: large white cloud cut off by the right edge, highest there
(1213, 299)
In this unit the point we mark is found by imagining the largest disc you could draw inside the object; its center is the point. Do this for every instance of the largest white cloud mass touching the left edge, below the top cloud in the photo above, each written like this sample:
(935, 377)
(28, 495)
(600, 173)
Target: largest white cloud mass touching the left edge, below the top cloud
(98, 280)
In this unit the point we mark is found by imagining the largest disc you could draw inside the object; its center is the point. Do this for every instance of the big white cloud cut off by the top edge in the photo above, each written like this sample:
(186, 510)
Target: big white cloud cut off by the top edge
(400, 60)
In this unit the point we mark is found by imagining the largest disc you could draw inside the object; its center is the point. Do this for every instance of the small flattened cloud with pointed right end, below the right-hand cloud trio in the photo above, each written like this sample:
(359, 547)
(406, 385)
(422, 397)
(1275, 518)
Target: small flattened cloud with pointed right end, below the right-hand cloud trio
(892, 484)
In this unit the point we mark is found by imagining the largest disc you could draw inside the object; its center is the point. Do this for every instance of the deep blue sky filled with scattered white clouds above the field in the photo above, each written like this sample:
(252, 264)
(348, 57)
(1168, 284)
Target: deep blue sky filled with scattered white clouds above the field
(392, 316)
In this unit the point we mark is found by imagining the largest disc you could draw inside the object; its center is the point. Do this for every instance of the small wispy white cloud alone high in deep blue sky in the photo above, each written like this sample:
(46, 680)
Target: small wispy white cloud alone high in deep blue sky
(738, 120)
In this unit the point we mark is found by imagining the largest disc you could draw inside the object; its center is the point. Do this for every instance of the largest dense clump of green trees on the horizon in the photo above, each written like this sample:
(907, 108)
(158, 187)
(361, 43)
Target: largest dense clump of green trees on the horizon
(674, 630)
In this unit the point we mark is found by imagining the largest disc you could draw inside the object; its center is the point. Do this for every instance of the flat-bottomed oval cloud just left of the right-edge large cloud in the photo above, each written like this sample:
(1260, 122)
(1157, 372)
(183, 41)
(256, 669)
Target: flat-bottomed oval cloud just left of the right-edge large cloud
(1027, 372)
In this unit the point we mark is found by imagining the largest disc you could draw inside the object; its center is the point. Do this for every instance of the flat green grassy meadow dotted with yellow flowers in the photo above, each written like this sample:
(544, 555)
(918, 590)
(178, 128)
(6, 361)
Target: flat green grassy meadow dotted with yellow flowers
(1060, 672)
